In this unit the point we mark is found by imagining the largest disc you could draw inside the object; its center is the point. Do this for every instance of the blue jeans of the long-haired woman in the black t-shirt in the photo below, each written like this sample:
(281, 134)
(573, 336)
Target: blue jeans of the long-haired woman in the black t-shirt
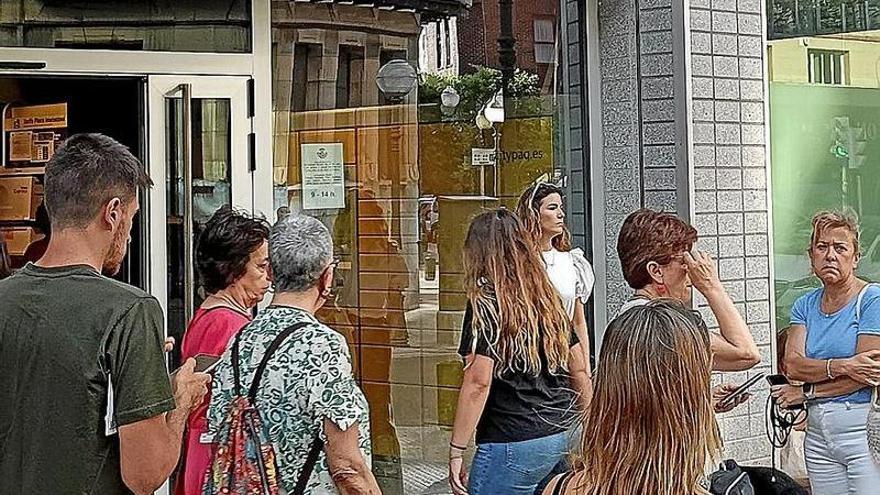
(516, 468)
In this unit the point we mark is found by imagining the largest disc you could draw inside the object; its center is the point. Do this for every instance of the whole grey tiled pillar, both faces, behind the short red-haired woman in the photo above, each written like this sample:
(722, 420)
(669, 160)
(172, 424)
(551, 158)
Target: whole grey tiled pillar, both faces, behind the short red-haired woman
(677, 114)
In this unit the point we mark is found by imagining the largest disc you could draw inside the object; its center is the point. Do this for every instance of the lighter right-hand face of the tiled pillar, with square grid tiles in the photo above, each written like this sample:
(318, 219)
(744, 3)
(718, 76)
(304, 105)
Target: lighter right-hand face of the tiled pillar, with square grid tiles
(730, 186)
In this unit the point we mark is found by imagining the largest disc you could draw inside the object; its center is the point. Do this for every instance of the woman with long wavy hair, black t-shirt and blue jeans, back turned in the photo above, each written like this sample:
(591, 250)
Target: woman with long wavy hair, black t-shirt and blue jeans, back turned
(524, 373)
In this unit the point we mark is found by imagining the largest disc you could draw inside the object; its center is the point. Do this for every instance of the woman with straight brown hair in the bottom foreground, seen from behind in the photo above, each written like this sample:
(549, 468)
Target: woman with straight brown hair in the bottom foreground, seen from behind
(651, 427)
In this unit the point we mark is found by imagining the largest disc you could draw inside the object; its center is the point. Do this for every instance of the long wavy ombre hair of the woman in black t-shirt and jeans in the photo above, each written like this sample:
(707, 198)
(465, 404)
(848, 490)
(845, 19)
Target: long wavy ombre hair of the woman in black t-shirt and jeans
(515, 306)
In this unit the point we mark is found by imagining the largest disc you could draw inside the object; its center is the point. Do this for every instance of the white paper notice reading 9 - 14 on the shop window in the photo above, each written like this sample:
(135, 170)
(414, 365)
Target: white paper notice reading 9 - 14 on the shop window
(323, 174)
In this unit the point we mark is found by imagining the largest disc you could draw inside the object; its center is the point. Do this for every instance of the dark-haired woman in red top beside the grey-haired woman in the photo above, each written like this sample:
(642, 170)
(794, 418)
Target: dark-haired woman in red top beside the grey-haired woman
(232, 256)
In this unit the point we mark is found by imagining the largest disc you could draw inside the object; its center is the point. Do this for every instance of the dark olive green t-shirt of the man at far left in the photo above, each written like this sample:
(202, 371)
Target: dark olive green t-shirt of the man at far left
(62, 332)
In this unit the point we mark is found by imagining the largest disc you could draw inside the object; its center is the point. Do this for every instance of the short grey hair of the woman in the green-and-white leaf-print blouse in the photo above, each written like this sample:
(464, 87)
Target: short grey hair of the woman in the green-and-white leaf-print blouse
(300, 248)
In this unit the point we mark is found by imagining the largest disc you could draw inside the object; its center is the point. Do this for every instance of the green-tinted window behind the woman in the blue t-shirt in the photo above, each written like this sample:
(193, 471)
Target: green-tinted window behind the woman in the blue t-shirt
(824, 124)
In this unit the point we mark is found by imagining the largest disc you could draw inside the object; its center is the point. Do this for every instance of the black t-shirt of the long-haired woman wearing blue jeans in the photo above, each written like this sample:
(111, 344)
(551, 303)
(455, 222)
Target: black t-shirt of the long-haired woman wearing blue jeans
(522, 406)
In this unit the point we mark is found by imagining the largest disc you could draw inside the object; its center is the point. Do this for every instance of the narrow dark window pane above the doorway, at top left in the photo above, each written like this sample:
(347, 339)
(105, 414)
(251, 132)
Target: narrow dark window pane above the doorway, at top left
(182, 25)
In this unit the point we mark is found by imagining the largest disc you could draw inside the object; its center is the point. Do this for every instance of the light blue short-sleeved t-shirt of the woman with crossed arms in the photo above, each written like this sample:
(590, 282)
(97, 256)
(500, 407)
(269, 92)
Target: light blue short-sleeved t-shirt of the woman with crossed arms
(835, 336)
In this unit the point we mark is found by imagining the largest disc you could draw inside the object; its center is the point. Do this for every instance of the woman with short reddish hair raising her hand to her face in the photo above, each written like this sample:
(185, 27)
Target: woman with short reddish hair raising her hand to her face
(658, 261)
